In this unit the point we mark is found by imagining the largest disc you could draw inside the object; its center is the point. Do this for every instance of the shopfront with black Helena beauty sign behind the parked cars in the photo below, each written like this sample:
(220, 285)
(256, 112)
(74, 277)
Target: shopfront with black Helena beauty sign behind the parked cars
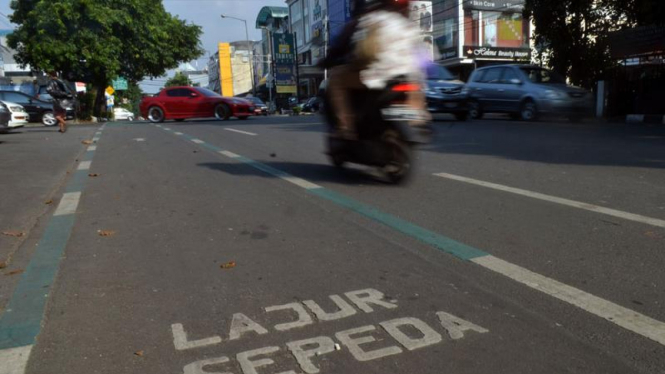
(473, 33)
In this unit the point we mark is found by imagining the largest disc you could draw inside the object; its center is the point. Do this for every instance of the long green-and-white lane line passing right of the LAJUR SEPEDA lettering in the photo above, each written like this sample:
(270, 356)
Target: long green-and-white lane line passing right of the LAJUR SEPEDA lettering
(611, 312)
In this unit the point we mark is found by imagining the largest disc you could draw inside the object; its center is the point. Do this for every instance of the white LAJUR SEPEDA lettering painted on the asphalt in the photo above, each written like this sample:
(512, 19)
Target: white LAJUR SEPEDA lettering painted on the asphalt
(363, 343)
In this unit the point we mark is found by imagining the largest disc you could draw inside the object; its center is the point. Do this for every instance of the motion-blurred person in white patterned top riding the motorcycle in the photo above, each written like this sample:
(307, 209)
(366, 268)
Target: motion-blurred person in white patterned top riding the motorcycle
(377, 45)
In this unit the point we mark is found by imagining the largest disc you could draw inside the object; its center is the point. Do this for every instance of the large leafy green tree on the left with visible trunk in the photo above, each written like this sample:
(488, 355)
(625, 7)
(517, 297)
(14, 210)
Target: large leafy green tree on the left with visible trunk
(96, 41)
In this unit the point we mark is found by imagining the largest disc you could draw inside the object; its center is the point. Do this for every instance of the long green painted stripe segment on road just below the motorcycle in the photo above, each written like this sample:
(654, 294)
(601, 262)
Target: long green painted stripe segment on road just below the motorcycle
(440, 242)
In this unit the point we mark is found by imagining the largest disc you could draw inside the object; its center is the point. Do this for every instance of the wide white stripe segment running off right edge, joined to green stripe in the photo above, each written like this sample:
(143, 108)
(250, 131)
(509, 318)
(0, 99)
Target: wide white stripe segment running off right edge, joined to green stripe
(624, 317)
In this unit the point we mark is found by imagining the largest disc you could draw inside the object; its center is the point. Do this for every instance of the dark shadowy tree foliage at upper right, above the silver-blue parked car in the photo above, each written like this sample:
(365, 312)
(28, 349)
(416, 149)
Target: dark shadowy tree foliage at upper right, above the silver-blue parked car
(571, 36)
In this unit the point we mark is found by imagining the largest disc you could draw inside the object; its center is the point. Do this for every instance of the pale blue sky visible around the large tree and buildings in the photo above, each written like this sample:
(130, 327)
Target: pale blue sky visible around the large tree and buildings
(207, 14)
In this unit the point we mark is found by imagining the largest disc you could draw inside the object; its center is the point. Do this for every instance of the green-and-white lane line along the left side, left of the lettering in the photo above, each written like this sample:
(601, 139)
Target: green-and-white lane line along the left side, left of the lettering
(21, 321)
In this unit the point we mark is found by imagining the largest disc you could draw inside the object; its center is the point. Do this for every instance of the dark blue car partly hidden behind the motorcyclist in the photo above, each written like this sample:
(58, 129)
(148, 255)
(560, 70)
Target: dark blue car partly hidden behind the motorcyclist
(445, 94)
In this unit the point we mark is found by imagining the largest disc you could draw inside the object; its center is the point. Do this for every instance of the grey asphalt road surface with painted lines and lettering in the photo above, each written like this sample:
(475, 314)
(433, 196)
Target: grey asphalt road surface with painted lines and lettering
(234, 247)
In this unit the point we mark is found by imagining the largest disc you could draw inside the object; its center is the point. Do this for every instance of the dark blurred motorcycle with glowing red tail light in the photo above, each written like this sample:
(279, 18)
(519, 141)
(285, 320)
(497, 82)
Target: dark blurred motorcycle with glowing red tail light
(385, 137)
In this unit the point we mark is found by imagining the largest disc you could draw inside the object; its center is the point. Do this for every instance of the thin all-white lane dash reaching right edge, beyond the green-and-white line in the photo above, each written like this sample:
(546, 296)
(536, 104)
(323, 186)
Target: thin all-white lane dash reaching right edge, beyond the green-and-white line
(572, 203)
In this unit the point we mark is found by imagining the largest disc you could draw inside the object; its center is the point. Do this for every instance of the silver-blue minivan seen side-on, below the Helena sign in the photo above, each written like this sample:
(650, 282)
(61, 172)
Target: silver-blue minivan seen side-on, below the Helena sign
(525, 92)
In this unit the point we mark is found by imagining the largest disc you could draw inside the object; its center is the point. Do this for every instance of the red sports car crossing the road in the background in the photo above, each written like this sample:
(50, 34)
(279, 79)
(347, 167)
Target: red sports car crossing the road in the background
(179, 103)
